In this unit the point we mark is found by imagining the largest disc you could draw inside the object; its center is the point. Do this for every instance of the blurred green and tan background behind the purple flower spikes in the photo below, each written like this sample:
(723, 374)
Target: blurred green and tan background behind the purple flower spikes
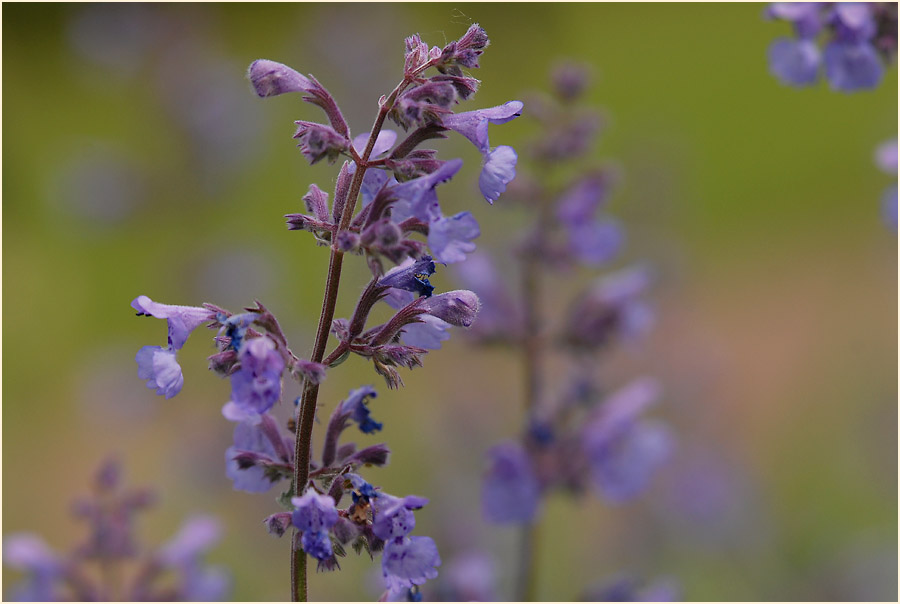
(138, 161)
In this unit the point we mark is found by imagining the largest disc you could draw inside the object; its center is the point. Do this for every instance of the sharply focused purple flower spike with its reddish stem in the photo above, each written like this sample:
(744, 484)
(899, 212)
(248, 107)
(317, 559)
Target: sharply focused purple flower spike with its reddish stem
(396, 183)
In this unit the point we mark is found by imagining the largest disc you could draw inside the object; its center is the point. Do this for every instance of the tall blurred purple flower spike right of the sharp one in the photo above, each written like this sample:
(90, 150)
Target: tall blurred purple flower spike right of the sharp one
(577, 434)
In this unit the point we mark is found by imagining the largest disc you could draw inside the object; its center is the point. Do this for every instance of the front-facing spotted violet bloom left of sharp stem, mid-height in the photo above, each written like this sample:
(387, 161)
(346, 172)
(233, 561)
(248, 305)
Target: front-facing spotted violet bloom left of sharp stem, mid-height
(256, 386)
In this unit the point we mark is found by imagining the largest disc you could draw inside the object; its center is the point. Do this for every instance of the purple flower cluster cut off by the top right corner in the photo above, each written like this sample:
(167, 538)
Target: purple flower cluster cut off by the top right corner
(861, 38)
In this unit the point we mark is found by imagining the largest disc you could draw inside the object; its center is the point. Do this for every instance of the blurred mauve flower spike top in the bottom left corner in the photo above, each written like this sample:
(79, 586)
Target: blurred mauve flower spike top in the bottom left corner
(110, 564)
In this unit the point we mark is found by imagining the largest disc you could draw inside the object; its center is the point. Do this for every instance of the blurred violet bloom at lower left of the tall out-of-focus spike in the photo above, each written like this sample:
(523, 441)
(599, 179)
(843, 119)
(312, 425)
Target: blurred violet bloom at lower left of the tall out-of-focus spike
(511, 491)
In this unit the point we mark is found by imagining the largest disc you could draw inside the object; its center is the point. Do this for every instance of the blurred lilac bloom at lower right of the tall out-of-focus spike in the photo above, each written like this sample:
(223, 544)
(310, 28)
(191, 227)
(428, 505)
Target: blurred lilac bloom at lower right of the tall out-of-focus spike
(623, 450)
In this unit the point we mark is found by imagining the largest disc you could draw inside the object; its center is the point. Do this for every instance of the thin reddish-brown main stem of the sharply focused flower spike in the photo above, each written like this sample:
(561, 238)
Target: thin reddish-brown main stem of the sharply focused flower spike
(309, 399)
